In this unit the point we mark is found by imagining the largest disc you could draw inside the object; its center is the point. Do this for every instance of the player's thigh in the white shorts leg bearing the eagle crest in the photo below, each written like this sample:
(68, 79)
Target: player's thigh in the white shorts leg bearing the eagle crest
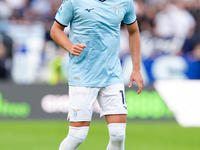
(81, 101)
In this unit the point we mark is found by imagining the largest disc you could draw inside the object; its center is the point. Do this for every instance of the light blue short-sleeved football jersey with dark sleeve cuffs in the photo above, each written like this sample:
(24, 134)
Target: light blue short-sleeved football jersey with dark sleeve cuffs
(97, 24)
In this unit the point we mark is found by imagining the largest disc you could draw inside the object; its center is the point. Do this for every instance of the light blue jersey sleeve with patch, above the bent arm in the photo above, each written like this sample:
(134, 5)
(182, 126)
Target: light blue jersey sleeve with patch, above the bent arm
(65, 13)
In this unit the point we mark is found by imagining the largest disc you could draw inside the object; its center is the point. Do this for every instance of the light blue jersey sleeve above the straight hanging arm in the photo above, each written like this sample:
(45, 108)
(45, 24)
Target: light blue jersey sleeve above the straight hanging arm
(130, 16)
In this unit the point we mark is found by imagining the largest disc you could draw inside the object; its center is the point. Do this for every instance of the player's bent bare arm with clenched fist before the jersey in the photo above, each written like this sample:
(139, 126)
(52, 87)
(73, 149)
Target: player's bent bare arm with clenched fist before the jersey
(61, 39)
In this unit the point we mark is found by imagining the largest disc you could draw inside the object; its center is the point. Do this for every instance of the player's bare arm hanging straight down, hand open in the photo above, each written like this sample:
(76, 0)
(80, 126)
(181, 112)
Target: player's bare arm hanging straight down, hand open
(134, 44)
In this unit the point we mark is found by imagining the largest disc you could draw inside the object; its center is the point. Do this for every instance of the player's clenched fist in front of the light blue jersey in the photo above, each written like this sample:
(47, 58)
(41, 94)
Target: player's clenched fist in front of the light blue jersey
(77, 49)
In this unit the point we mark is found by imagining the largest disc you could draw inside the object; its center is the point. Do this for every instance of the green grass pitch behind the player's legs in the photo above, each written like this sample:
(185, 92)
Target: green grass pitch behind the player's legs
(140, 135)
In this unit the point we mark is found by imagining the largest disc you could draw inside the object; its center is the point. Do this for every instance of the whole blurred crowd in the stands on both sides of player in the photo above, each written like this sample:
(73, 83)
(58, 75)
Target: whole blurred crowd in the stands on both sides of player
(166, 26)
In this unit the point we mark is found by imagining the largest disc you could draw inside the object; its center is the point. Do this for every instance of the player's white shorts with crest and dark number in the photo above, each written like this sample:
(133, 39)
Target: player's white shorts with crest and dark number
(111, 100)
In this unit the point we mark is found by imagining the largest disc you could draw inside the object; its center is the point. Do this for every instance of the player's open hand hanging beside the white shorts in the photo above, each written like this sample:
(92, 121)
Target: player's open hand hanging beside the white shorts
(137, 77)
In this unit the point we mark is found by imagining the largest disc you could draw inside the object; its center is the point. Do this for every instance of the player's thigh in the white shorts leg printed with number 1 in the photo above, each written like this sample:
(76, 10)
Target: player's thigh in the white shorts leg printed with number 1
(113, 102)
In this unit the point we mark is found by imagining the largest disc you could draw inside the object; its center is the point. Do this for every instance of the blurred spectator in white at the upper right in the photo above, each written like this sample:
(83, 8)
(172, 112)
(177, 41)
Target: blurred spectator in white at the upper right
(174, 21)
